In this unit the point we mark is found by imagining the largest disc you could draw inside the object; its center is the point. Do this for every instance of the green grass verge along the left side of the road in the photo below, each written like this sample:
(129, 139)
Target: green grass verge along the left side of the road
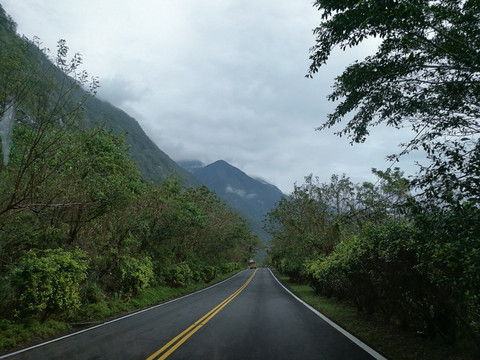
(27, 332)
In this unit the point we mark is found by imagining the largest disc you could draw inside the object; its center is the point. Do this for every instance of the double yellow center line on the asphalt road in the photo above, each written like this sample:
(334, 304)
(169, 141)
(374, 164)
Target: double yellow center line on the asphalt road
(178, 340)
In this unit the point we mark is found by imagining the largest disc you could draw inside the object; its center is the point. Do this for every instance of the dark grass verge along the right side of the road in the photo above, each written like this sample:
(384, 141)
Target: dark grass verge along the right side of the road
(385, 338)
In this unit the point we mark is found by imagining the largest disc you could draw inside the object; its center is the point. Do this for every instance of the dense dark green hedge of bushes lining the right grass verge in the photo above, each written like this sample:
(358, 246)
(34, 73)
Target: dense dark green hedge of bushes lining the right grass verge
(400, 272)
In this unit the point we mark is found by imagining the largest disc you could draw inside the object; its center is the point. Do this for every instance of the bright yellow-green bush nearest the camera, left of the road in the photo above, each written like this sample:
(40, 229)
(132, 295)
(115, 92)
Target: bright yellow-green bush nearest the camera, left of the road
(48, 281)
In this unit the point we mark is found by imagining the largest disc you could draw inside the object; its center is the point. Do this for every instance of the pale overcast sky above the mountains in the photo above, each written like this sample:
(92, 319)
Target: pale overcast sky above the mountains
(216, 79)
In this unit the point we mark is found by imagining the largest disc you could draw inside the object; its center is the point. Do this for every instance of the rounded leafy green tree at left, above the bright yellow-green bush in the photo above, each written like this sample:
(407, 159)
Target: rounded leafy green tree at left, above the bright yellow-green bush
(53, 200)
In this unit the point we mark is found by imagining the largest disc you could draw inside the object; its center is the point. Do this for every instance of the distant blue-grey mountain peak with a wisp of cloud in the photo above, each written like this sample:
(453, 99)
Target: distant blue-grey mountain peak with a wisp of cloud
(252, 198)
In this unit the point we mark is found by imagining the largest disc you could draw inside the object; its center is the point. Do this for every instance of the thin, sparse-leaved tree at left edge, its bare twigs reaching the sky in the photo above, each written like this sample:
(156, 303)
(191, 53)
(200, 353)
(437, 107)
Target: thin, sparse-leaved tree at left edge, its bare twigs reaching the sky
(50, 106)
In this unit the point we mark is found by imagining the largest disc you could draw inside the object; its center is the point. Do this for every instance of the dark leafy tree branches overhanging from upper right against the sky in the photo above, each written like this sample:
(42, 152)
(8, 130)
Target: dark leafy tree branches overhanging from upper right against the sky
(425, 74)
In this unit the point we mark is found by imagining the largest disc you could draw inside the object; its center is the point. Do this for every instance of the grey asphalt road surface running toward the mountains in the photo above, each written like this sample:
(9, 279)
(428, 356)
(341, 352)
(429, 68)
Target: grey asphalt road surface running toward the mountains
(250, 316)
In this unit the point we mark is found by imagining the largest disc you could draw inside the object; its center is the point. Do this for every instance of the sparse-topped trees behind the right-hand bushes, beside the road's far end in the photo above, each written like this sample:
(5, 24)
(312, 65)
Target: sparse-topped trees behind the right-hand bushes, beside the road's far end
(316, 217)
